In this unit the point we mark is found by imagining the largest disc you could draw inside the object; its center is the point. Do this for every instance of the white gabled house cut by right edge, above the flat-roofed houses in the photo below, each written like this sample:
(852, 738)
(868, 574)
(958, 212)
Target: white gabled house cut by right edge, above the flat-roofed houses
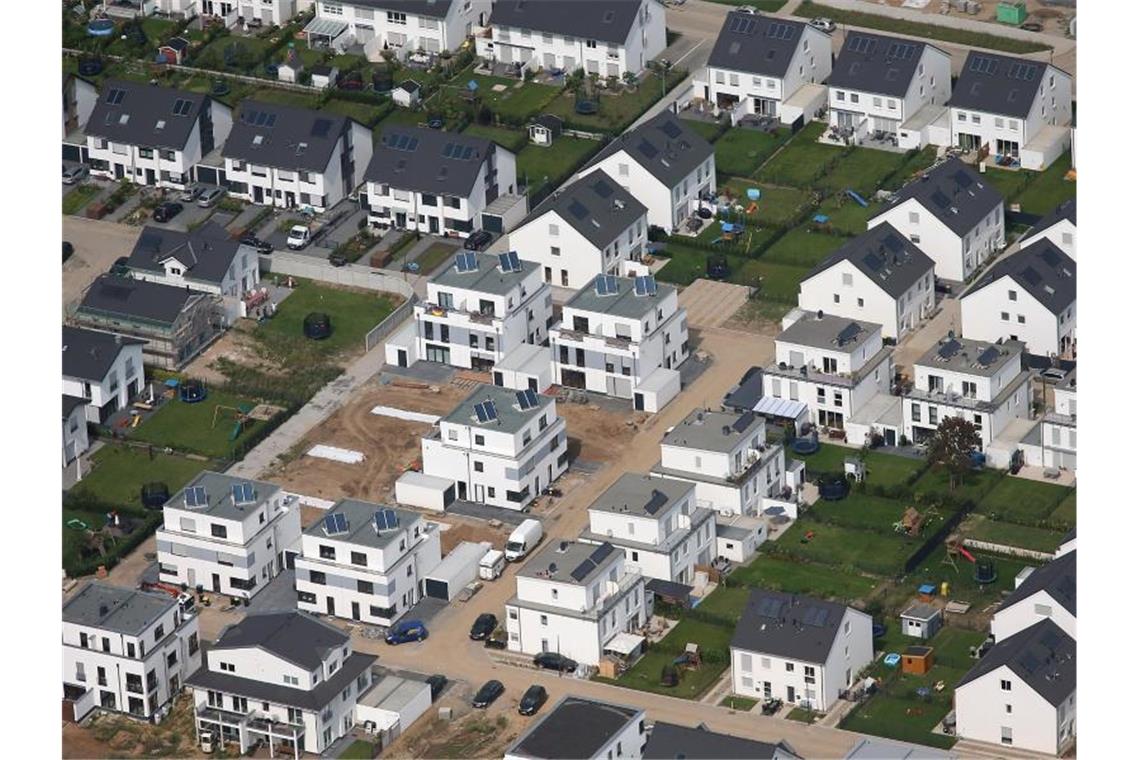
(1029, 297)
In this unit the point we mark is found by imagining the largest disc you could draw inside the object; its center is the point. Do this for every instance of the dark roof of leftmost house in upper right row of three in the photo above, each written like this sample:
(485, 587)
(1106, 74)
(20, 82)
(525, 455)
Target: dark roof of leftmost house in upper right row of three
(756, 44)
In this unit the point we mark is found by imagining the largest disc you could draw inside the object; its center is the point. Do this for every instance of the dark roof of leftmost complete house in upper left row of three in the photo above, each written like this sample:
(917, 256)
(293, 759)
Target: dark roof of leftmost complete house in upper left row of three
(146, 115)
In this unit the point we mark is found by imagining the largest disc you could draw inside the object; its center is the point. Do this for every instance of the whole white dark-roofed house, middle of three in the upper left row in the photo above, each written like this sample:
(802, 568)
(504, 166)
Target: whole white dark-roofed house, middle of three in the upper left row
(295, 158)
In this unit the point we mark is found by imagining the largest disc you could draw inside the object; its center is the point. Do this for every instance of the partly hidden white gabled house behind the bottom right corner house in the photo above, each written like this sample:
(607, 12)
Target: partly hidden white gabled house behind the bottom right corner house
(1048, 593)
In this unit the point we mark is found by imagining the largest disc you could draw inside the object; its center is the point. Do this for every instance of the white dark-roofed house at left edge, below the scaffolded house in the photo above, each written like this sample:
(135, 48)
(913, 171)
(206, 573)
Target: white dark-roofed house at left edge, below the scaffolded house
(104, 370)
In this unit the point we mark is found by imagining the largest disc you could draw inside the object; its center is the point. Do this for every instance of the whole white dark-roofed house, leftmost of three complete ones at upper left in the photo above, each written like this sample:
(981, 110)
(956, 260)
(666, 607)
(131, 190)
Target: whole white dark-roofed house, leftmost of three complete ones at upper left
(153, 135)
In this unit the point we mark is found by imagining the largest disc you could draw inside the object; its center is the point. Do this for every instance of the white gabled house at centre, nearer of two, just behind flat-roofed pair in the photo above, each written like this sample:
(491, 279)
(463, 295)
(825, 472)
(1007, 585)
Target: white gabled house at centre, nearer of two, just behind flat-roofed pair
(591, 227)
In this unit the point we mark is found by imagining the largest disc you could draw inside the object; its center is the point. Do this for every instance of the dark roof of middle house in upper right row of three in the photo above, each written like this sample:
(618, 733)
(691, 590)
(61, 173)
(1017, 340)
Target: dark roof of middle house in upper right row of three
(877, 63)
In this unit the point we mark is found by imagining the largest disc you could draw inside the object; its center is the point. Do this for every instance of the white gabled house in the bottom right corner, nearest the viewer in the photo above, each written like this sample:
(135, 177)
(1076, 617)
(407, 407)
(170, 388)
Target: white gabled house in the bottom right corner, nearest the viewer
(1023, 693)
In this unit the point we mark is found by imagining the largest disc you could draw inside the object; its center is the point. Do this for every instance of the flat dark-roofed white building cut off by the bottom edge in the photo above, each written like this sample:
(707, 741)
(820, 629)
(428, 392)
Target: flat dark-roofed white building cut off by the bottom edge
(590, 730)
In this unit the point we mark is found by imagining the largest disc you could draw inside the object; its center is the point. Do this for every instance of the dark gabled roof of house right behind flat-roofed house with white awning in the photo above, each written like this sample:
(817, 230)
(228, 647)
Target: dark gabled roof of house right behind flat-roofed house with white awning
(889, 259)
